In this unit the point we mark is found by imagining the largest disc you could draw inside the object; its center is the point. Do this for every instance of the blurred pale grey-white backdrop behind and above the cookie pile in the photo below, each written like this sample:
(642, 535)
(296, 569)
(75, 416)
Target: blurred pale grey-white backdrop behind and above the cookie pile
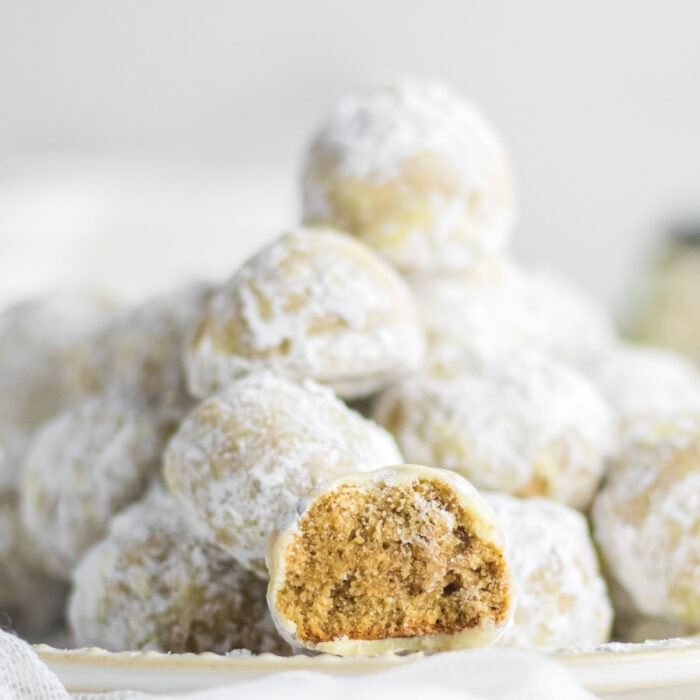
(164, 136)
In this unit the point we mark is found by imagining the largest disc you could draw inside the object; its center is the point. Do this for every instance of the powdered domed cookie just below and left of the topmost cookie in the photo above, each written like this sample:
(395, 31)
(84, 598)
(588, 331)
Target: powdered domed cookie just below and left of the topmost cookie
(316, 305)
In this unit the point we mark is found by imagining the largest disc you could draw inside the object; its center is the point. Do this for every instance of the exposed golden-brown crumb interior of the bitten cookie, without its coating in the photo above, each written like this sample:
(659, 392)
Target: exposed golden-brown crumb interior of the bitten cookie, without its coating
(388, 562)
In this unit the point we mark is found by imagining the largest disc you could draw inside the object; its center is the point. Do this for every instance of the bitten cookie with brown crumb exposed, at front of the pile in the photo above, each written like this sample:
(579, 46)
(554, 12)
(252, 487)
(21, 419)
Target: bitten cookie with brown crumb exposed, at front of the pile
(403, 558)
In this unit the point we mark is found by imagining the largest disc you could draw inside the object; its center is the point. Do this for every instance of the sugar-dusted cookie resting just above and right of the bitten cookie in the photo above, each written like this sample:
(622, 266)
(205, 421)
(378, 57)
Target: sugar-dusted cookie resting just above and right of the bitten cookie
(527, 426)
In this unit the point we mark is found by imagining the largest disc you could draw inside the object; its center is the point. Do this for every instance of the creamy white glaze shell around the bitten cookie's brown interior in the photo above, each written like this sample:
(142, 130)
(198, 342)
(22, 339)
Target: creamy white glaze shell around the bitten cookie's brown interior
(484, 526)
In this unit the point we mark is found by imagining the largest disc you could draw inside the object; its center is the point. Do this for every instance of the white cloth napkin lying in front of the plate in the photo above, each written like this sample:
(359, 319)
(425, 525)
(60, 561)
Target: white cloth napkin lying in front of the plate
(483, 674)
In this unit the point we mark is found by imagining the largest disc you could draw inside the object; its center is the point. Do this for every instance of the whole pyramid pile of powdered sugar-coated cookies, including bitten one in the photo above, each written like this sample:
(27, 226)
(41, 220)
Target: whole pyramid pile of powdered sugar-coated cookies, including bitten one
(191, 475)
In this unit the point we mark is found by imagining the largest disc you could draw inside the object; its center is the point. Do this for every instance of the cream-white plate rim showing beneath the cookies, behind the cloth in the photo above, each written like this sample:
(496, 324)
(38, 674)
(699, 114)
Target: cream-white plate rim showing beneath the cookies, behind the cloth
(669, 669)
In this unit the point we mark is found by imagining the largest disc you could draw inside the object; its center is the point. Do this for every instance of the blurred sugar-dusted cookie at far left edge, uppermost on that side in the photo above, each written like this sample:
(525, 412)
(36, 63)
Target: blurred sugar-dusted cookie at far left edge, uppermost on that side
(43, 358)
